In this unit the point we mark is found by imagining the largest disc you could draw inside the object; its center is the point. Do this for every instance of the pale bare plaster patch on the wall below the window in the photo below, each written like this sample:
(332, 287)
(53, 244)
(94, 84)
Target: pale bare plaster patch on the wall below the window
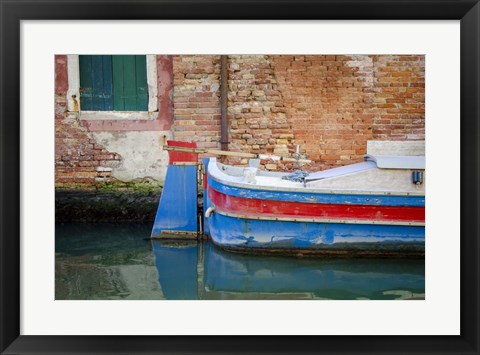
(142, 153)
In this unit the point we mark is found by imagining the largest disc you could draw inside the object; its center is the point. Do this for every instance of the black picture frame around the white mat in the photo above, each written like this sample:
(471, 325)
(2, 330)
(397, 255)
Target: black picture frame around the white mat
(13, 12)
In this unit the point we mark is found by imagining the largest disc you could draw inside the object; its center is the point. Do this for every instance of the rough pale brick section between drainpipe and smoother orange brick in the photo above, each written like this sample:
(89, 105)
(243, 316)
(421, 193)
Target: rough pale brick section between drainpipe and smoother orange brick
(257, 114)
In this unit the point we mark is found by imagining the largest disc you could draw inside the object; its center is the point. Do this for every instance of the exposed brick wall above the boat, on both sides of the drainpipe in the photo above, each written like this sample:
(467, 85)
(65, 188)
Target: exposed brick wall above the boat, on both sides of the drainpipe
(331, 105)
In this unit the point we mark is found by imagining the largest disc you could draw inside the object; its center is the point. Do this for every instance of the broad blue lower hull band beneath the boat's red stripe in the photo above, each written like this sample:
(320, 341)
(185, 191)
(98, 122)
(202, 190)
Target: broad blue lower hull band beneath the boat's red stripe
(310, 238)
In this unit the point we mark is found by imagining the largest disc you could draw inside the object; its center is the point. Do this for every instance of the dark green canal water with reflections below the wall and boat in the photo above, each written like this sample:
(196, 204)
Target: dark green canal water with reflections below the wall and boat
(120, 262)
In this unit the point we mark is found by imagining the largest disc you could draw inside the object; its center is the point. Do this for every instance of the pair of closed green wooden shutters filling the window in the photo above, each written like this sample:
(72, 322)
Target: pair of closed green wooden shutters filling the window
(113, 83)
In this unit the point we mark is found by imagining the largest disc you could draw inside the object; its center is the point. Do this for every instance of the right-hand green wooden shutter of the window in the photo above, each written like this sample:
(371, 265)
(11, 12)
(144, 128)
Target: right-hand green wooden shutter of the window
(130, 91)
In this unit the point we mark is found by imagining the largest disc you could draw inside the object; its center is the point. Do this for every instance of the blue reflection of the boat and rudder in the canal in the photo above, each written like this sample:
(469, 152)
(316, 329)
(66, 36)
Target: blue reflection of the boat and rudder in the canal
(202, 271)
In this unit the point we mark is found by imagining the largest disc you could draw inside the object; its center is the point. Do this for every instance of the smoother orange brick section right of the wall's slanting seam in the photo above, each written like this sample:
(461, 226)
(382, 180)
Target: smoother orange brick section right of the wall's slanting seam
(337, 103)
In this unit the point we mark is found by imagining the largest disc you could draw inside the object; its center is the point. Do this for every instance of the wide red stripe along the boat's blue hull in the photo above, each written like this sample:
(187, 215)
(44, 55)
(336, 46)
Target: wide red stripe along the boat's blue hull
(256, 207)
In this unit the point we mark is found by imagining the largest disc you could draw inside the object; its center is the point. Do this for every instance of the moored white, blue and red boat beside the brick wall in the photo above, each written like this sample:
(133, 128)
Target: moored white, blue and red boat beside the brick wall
(372, 208)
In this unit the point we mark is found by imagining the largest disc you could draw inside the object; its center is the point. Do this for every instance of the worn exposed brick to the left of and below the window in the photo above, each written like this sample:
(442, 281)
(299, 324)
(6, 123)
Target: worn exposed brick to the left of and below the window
(78, 158)
